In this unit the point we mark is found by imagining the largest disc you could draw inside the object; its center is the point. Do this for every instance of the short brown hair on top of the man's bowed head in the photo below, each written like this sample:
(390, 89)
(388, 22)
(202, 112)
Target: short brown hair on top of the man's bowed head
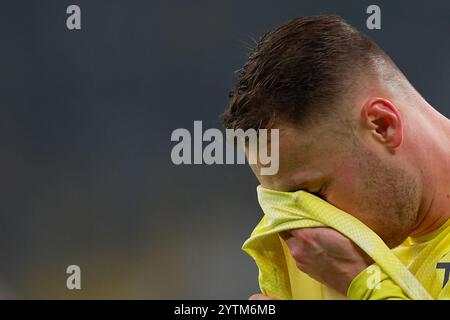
(295, 71)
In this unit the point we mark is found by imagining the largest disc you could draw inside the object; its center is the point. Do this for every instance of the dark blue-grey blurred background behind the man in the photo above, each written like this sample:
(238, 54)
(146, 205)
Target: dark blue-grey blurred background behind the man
(86, 116)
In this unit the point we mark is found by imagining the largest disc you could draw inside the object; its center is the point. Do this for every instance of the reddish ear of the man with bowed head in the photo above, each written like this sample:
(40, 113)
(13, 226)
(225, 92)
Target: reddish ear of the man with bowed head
(383, 119)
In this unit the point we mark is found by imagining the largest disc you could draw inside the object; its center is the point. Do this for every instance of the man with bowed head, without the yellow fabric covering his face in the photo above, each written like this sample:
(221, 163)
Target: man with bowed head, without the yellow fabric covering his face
(355, 132)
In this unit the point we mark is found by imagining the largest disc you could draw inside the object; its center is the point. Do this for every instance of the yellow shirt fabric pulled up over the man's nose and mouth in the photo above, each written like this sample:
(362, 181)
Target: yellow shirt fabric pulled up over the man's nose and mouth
(278, 274)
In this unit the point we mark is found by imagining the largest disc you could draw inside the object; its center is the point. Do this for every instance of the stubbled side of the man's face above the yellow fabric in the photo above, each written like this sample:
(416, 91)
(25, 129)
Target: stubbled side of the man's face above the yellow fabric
(355, 175)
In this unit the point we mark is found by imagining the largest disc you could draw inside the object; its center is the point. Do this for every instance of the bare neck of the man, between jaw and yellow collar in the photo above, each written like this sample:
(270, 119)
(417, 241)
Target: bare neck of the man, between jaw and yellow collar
(433, 162)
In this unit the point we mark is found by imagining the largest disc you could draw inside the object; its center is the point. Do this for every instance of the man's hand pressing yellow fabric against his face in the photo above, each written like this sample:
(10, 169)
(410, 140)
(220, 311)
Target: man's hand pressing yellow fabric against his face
(327, 256)
